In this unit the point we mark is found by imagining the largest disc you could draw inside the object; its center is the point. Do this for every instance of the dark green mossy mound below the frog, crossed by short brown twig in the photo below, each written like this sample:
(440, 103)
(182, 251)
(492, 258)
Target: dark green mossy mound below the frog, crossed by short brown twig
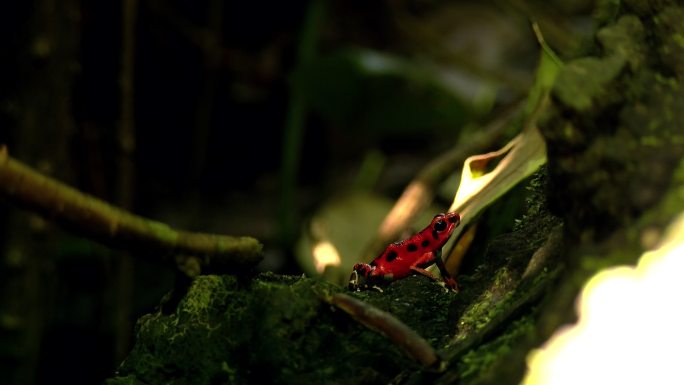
(276, 329)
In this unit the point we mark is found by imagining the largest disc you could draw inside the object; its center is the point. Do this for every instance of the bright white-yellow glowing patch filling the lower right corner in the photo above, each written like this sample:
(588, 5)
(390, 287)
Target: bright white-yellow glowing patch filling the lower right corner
(631, 326)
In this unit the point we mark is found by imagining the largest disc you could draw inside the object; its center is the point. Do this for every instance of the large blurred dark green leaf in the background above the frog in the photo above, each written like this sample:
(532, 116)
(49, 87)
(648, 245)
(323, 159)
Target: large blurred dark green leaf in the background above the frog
(364, 90)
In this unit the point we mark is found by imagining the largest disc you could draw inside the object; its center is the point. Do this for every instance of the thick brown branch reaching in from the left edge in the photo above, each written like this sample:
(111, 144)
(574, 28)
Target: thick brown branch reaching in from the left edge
(85, 214)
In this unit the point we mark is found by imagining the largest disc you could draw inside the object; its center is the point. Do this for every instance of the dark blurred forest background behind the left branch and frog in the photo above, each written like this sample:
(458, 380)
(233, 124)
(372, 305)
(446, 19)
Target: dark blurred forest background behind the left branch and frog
(214, 86)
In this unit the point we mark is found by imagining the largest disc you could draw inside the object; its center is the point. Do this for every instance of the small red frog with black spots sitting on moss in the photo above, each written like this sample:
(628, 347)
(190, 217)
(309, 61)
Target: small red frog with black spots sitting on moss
(413, 255)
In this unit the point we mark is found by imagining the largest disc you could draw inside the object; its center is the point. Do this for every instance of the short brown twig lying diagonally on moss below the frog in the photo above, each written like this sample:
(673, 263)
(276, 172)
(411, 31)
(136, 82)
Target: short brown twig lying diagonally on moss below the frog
(385, 323)
